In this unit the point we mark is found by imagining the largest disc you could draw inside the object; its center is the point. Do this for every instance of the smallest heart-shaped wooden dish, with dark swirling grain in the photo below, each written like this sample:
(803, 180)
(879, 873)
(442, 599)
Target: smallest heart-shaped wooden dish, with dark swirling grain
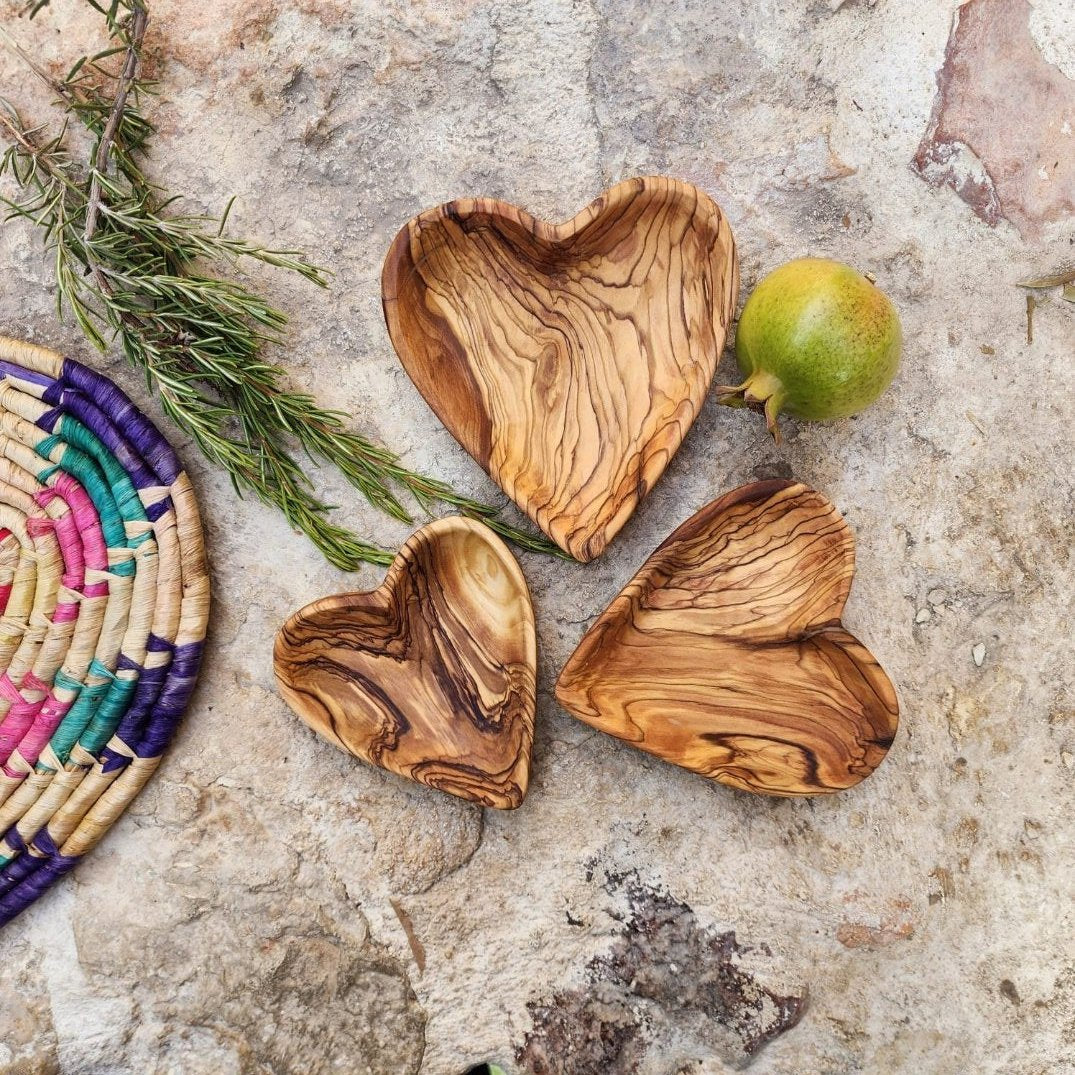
(432, 676)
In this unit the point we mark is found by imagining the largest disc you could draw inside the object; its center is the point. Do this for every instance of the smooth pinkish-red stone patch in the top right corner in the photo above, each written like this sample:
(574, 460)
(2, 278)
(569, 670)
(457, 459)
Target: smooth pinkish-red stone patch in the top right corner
(1002, 132)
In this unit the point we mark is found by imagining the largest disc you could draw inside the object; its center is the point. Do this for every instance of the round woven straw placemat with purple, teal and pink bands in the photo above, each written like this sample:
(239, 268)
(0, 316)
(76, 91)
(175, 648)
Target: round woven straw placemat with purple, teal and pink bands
(104, 603)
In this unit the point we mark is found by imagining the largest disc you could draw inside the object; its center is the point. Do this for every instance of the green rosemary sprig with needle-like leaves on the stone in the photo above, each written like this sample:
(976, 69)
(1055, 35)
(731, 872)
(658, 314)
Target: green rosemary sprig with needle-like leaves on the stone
(131, 269)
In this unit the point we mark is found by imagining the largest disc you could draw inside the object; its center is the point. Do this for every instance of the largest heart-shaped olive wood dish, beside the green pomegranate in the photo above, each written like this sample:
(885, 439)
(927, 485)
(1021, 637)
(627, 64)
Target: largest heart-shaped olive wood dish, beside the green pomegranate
(569, 360)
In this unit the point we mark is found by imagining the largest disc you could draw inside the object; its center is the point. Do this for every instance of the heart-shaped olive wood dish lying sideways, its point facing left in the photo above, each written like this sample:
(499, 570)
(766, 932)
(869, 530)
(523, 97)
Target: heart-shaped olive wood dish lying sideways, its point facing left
(726, 654)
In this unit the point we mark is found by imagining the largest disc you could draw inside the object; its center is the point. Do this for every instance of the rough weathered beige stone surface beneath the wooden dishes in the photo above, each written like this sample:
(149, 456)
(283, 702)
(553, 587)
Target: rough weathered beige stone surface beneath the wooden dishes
(243, 915)
